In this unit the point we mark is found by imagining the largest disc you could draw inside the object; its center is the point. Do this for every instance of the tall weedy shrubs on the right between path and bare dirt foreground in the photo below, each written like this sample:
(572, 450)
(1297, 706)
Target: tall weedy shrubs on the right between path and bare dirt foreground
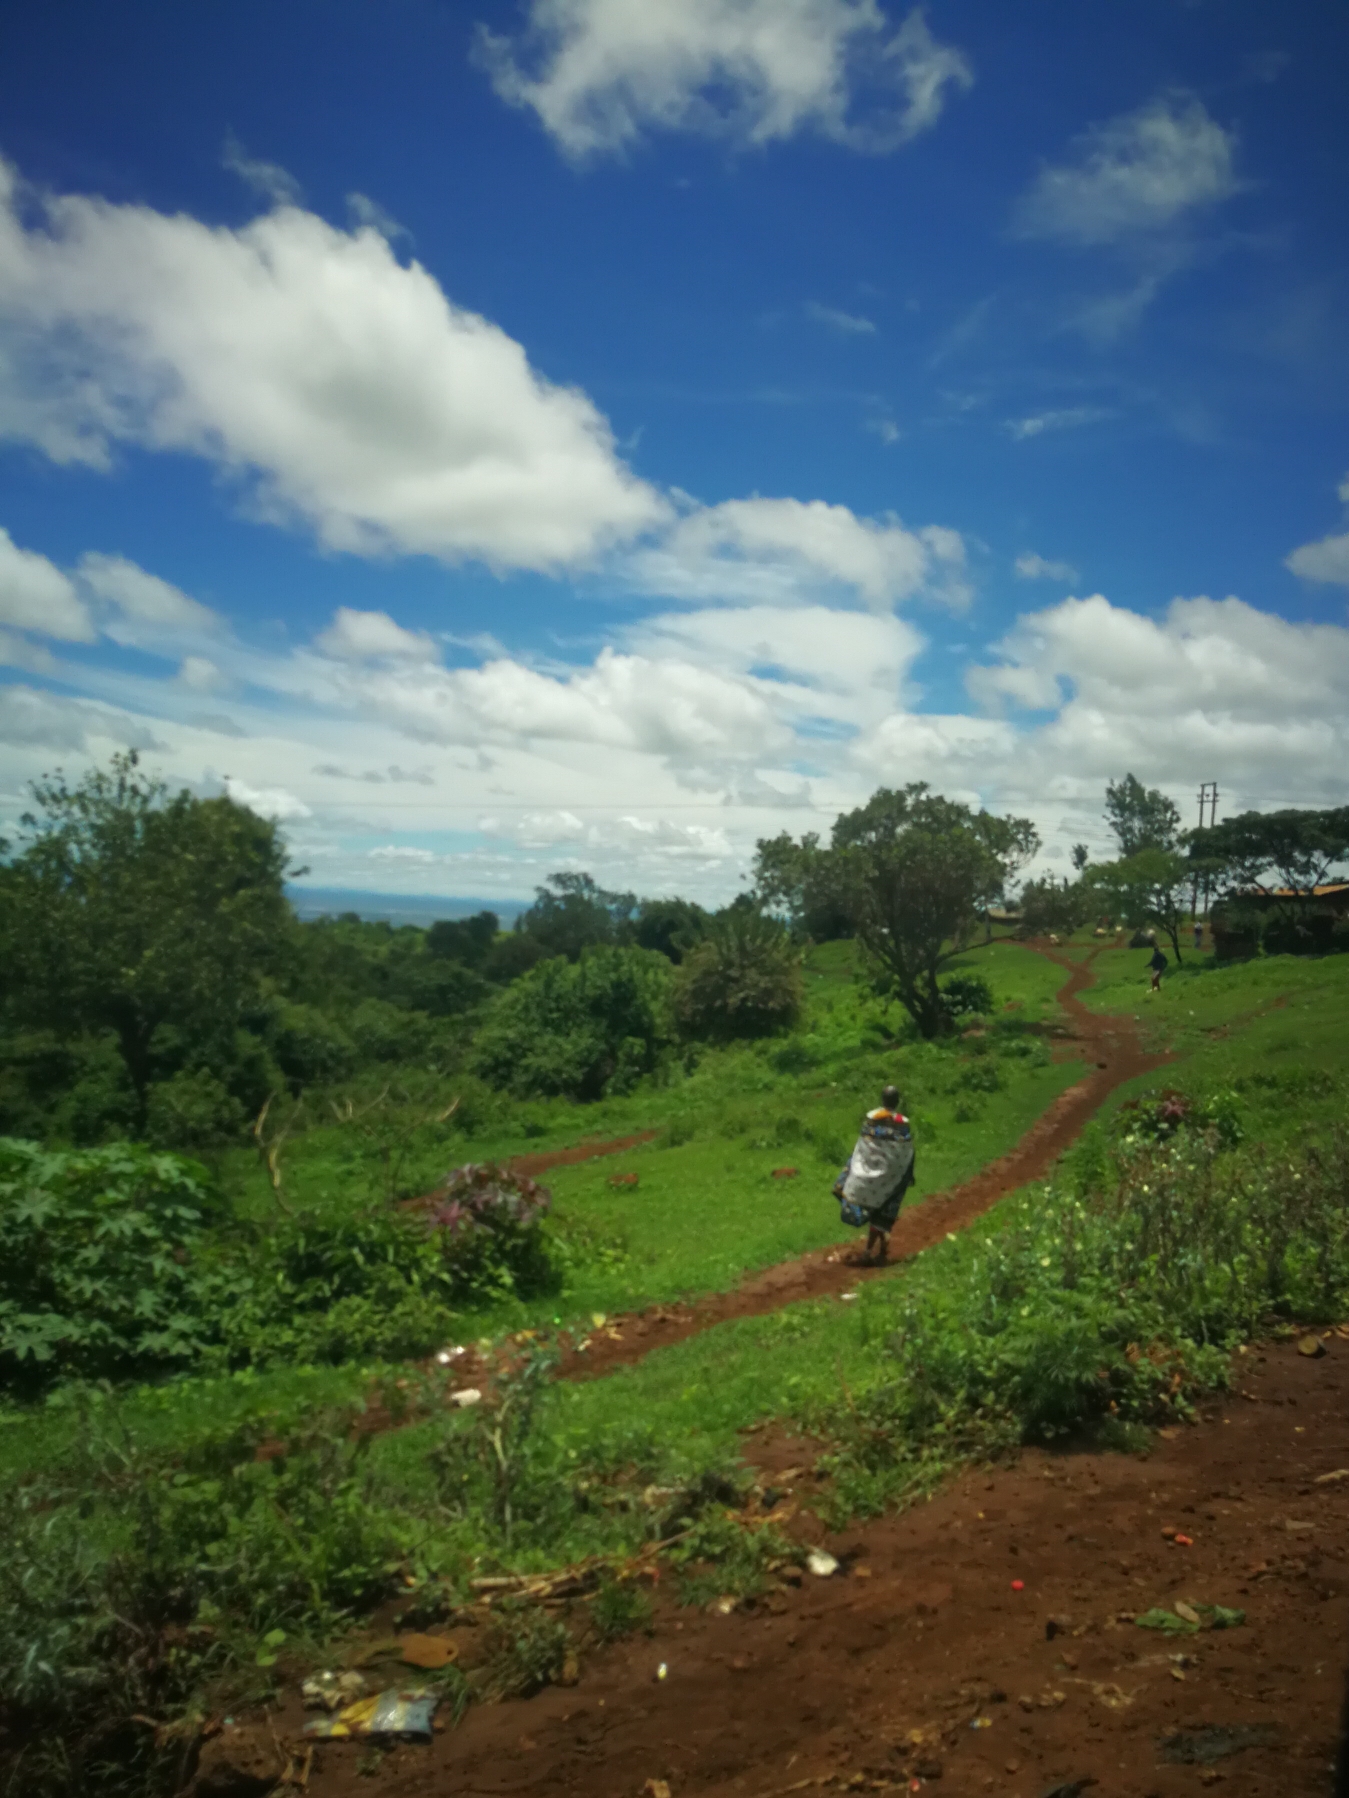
(1112, 1303)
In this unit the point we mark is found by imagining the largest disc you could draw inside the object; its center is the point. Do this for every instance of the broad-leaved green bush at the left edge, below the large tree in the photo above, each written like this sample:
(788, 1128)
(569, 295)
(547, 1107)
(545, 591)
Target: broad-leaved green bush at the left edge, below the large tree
(98, 1263)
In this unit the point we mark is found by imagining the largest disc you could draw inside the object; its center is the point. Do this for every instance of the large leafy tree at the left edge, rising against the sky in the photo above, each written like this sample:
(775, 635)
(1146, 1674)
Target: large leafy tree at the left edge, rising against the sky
(139, 912)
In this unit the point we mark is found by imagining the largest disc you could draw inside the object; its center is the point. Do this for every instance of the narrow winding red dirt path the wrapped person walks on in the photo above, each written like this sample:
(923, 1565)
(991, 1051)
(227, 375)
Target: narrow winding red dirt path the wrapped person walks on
(1111, 1042)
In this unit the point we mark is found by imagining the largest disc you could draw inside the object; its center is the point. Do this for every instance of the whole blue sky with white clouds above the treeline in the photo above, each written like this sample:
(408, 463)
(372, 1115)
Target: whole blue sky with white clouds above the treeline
(499, 438)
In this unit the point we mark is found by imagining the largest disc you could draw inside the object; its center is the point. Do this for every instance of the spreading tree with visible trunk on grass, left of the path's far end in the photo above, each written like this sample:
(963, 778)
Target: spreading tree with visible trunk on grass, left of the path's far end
(915, 873)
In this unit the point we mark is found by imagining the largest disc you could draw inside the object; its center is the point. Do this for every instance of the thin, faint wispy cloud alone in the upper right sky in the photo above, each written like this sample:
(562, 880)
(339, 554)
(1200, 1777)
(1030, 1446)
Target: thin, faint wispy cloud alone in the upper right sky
(1132, 175)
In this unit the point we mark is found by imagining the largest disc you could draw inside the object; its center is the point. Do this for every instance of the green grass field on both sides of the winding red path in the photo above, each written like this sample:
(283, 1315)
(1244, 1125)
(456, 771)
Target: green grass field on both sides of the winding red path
(999, 1331)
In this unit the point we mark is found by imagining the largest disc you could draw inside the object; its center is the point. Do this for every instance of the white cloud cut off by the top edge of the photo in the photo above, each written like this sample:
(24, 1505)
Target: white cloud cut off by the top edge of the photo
(602, 73)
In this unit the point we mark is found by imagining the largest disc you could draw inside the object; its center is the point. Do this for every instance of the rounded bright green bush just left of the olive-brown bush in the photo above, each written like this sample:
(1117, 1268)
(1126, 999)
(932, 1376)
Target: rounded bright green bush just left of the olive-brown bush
(580, 1029)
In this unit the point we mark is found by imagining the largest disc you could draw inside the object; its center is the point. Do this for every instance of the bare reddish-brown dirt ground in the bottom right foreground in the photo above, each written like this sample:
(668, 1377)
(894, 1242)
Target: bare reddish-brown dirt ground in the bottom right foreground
(920, 1666)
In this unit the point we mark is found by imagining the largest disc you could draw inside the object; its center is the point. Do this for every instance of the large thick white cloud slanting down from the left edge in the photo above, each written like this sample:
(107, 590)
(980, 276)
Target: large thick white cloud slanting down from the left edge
(343, 387)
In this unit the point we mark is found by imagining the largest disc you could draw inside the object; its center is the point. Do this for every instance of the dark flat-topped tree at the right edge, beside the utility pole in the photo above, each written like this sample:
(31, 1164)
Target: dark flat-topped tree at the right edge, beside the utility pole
(1278, 855)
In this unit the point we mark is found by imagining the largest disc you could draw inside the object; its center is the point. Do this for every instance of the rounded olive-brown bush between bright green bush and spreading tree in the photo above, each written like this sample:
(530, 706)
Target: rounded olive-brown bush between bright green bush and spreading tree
(742, 981)
